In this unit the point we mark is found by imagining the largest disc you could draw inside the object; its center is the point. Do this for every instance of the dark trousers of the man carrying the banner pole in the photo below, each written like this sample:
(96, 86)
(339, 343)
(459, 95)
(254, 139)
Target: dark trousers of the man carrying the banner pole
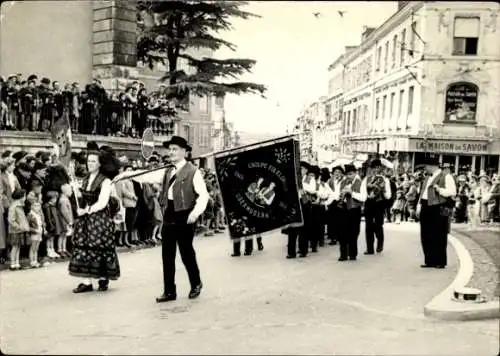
(175, 232)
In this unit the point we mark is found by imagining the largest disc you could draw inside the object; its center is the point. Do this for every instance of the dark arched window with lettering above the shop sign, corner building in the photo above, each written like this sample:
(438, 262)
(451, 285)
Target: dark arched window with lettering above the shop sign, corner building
(461, 102)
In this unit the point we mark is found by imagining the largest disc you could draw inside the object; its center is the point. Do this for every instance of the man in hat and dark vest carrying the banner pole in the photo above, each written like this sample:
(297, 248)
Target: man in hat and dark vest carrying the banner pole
(184, 198)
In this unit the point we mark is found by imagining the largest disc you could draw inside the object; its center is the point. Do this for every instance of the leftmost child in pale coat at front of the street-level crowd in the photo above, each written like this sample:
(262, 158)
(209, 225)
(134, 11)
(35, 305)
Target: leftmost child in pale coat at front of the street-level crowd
(18, 227)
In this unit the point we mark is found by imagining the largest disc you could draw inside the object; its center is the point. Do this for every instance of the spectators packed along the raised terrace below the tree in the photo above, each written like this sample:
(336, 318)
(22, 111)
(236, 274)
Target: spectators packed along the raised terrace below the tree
(34, 105)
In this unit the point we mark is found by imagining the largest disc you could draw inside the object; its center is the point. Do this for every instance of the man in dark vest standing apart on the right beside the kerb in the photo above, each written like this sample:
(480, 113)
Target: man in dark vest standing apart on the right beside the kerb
(434, 208)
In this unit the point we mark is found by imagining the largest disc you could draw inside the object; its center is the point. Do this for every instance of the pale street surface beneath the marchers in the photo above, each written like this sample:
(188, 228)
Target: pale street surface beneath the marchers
(263, 304)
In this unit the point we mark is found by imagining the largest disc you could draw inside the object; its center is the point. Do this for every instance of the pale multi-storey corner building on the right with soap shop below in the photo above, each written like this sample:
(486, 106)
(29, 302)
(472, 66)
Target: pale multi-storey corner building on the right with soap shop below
(425, 81)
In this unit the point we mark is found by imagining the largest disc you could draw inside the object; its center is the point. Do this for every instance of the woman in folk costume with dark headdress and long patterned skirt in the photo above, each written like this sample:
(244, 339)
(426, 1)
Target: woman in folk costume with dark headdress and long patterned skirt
(94, 254)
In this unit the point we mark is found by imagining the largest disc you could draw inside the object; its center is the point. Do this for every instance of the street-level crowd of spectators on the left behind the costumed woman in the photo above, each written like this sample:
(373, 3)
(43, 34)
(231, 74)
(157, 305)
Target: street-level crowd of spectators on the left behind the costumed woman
(38, 212)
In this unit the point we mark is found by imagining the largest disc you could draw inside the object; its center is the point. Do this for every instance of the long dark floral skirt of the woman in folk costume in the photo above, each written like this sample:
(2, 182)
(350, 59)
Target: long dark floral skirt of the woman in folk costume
(94, 253)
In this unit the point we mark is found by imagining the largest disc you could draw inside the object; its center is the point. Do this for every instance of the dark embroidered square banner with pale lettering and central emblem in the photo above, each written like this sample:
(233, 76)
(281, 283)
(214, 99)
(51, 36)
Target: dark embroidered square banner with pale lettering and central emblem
(259, 186)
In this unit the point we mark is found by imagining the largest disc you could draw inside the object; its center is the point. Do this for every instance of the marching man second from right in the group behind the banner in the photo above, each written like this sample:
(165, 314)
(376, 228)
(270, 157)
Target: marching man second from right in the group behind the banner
(353, 195)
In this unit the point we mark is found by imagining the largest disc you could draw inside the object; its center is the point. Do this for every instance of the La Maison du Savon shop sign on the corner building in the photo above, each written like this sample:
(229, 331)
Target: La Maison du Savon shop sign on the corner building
(451, 146)
